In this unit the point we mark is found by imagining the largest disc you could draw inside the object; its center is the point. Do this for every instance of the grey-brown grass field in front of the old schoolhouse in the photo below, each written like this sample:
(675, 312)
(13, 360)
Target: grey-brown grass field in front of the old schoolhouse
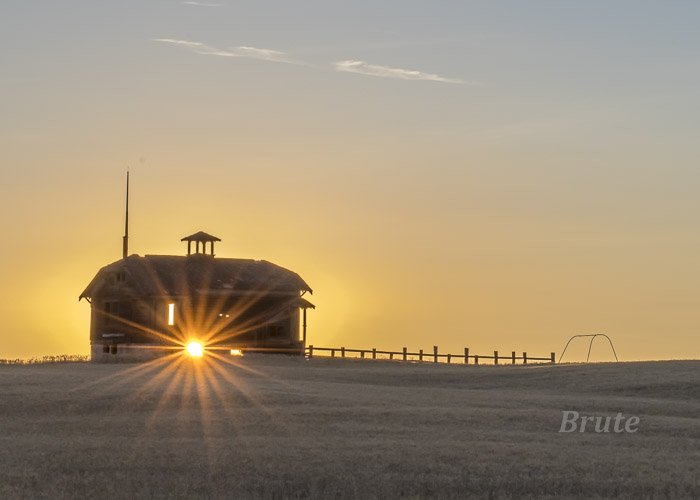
(278, 427)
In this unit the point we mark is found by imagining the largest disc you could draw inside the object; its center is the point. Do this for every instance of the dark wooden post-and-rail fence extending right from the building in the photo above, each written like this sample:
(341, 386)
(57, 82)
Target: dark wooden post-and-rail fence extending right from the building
(435, 356)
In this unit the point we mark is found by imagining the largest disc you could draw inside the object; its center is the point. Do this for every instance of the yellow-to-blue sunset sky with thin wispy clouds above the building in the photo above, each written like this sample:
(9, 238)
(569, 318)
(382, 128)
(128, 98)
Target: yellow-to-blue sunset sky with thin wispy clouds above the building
(492, 175)
